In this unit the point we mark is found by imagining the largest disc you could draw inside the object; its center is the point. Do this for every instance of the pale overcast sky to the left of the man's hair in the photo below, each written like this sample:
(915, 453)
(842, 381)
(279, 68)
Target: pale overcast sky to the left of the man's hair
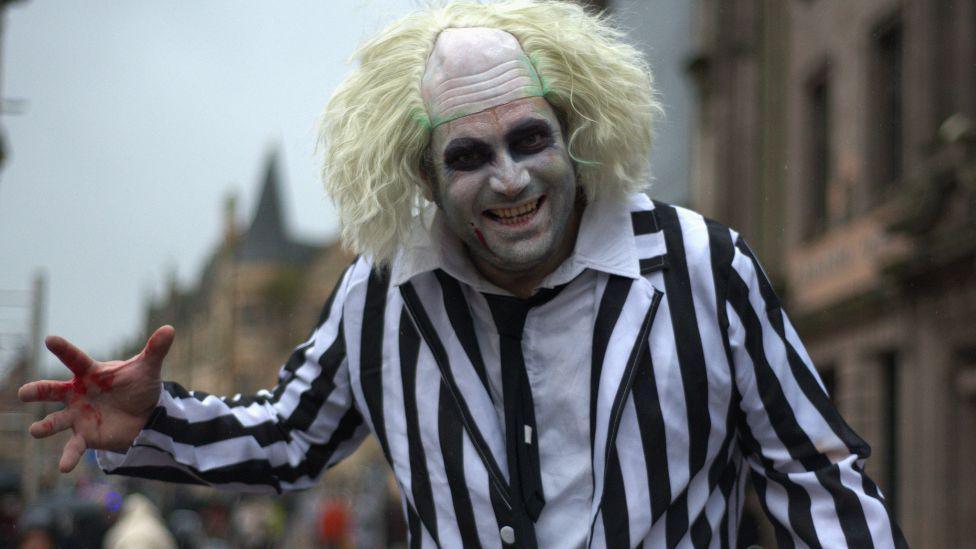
(127, 122)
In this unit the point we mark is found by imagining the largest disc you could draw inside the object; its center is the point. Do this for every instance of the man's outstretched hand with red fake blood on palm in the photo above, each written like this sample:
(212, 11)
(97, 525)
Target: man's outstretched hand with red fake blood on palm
(106, 404)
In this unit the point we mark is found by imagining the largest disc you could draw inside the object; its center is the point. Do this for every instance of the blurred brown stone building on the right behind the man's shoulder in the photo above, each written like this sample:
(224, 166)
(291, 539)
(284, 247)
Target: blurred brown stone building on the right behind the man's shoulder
(840, 139)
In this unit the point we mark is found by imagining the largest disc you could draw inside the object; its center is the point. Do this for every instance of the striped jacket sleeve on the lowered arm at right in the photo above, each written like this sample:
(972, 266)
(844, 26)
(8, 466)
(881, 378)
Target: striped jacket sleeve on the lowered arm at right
(807, 463)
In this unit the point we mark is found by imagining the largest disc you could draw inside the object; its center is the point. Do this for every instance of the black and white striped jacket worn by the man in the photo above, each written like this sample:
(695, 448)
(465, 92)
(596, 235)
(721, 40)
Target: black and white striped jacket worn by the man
(697, 377)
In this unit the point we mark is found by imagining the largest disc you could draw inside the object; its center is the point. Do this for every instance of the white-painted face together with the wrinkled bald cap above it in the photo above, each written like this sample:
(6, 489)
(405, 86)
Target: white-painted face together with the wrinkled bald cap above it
(504, 179)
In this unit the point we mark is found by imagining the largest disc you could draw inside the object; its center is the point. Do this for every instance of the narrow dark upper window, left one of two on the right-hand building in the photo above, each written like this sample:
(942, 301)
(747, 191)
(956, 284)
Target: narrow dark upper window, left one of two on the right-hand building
(818, 164)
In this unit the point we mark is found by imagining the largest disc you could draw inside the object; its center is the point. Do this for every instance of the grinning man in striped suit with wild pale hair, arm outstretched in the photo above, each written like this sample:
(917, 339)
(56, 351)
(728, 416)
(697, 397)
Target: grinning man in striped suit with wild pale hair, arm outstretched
(546, 357)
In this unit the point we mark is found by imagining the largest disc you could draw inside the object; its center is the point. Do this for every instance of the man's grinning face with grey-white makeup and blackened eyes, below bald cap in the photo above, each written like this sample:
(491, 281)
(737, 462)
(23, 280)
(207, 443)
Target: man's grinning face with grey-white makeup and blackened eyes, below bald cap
(505, 184)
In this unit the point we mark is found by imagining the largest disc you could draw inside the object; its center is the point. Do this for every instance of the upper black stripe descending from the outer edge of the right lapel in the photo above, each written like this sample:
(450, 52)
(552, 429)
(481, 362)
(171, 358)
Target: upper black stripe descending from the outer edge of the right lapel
(650, 422)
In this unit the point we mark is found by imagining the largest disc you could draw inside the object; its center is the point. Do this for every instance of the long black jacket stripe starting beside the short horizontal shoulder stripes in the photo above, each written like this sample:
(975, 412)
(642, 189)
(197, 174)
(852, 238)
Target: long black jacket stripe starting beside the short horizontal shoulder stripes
(691, 357)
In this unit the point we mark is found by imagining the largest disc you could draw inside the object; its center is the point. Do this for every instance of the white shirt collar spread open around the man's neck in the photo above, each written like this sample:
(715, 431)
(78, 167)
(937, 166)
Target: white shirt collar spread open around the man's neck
(605, 243)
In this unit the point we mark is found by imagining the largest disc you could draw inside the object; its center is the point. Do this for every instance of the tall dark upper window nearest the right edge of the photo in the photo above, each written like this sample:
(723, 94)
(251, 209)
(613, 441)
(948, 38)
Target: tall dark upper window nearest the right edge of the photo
(886, 87)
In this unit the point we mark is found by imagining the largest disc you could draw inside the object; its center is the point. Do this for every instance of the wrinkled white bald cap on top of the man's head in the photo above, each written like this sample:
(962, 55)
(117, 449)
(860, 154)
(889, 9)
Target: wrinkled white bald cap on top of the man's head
(474, 69)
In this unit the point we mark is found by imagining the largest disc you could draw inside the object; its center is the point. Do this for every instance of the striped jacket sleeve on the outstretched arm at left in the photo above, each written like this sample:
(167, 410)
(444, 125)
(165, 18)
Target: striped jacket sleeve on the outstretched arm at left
(275, 440)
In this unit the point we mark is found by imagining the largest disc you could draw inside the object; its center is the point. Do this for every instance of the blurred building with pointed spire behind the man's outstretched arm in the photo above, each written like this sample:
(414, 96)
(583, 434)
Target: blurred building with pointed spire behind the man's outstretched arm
(259, 295)
